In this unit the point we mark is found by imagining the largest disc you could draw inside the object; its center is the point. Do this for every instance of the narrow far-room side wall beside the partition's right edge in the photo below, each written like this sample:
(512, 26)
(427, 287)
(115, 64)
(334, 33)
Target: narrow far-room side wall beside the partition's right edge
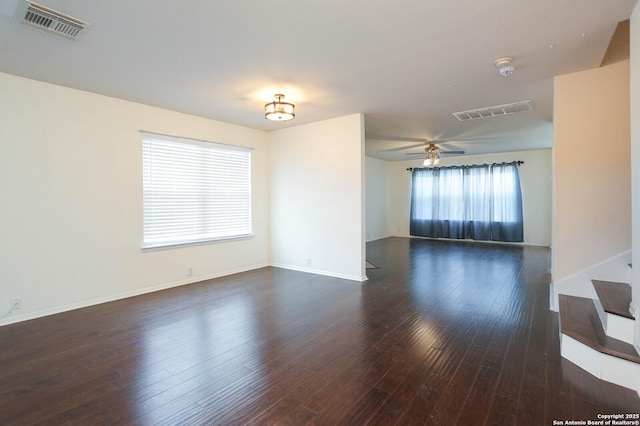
(376, 194)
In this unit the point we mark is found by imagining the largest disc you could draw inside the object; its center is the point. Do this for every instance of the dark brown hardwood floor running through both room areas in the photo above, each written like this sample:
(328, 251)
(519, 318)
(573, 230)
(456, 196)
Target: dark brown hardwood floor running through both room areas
(442, 333)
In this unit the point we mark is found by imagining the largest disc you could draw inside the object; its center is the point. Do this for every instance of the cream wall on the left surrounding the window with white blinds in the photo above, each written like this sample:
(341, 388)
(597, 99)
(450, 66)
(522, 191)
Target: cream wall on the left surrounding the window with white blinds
(71, 185)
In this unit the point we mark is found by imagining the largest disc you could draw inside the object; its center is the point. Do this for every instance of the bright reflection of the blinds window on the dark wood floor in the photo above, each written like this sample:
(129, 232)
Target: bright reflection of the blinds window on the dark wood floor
(196, 354)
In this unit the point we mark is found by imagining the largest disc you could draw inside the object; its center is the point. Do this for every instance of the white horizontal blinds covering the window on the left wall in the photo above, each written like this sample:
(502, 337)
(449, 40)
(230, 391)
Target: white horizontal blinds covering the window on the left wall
(194, 191)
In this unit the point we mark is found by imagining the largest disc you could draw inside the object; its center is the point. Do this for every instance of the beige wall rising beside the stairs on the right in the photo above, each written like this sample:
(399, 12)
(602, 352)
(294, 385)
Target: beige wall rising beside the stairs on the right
(592, 169)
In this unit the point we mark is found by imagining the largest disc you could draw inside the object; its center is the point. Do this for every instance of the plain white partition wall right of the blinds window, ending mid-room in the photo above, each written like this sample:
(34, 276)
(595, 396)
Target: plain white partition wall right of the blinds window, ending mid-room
(317, 198)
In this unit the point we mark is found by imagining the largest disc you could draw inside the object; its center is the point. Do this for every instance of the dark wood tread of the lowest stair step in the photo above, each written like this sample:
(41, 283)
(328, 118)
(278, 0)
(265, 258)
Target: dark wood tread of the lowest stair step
(580, 321)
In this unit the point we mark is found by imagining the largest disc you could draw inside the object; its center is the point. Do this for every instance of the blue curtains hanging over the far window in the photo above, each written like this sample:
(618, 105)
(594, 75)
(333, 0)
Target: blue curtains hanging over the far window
(480, 202)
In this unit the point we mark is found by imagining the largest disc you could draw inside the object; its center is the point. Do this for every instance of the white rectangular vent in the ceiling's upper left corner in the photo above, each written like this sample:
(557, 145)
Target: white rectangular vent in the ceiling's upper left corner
(50, 21)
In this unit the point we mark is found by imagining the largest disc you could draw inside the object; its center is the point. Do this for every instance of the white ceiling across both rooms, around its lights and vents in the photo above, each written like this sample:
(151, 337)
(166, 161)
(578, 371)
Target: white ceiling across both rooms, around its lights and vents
(407, 65)
